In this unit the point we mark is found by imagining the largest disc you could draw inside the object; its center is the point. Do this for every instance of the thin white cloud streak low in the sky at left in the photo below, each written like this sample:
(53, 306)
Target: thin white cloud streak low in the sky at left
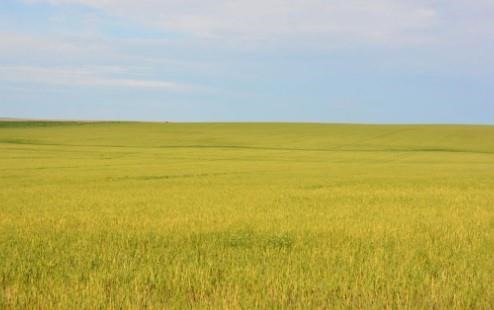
(85, 76)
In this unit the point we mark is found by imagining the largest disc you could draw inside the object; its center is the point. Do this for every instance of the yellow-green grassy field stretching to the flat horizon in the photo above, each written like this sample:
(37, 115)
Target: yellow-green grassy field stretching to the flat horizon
(129, 215)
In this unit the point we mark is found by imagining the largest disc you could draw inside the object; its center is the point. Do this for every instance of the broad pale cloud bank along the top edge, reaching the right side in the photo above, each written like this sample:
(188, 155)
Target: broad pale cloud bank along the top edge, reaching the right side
(320, 23)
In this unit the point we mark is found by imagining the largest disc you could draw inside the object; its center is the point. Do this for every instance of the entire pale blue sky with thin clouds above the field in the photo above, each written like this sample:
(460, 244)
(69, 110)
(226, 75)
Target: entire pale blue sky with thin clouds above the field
(356, 61)
